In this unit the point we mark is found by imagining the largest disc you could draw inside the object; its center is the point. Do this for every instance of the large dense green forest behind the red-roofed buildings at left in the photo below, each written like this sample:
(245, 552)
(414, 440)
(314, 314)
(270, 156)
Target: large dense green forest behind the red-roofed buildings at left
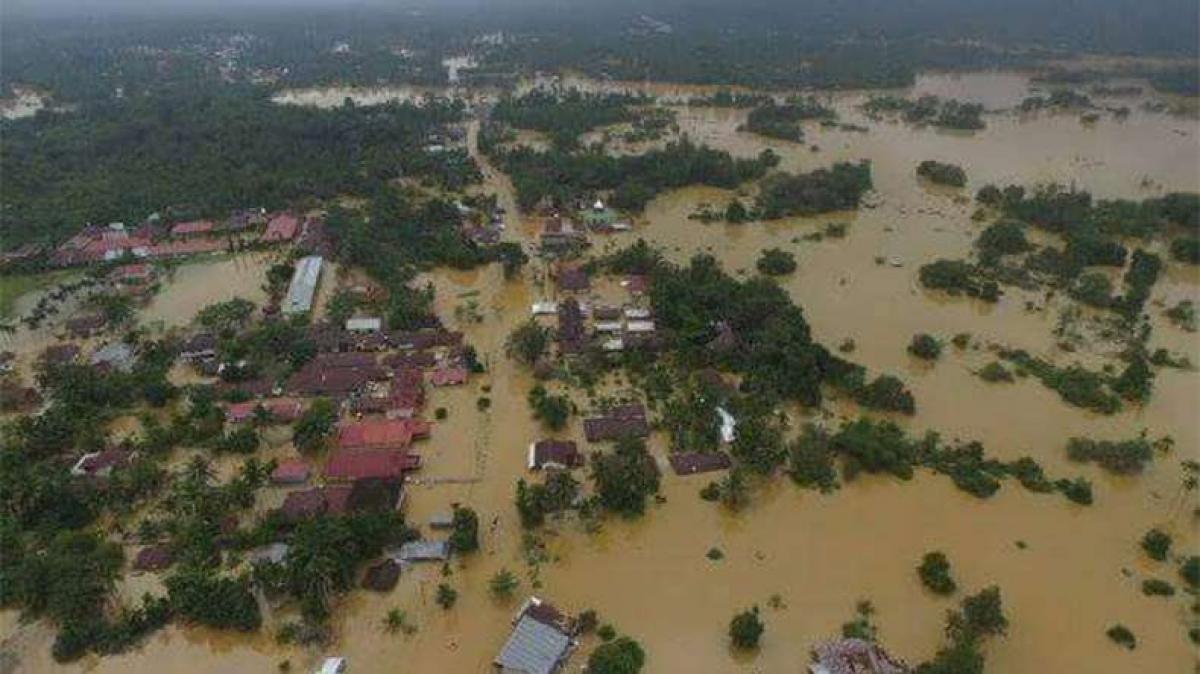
(209, 152)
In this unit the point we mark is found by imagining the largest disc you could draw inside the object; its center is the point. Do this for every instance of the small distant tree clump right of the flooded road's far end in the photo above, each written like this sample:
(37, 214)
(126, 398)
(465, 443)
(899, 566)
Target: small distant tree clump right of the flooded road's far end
(565, 117)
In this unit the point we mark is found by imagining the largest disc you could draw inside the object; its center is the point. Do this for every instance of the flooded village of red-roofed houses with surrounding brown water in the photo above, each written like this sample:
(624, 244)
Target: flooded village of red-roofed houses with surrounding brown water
(437, 420)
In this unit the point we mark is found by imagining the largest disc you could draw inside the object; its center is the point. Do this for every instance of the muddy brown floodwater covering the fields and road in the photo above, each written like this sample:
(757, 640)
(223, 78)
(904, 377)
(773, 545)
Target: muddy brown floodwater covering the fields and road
(1078, 574)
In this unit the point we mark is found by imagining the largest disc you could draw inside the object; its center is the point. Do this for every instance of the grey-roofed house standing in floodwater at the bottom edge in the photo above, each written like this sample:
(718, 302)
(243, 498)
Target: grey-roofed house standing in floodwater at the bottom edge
(541, 643)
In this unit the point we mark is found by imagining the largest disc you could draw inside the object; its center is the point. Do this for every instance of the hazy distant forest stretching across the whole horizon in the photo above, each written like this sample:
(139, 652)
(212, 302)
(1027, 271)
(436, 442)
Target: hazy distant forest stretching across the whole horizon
(865, 44)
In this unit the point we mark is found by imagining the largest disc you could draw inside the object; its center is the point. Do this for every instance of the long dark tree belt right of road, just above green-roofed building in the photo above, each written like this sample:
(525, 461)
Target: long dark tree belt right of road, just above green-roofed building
(561, 176)
